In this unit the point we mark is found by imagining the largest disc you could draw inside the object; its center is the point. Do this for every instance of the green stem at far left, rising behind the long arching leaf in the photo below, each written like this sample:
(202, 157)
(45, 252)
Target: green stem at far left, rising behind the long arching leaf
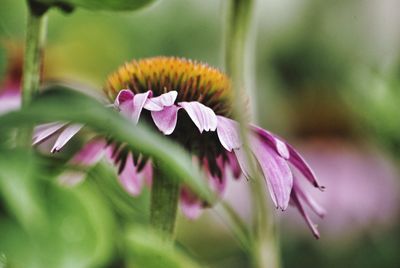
(33, 57)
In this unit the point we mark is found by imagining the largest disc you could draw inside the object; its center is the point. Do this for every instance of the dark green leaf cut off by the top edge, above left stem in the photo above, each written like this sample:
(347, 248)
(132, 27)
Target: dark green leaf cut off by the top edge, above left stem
(114, 5)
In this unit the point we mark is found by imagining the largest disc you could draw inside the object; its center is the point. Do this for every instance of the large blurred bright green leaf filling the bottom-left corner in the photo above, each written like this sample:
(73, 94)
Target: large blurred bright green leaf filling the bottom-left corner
(47, 225)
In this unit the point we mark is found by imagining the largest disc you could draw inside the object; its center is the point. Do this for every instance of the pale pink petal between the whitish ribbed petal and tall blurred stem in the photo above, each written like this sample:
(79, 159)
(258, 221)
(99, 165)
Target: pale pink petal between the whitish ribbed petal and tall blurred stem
(228, 133)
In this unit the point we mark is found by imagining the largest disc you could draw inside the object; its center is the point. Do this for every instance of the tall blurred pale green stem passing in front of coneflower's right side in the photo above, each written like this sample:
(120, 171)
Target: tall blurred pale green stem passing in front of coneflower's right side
(265, 250)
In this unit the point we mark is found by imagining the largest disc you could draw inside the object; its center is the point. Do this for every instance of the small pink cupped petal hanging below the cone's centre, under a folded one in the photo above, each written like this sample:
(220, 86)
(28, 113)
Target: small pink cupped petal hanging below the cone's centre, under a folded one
(166, 119)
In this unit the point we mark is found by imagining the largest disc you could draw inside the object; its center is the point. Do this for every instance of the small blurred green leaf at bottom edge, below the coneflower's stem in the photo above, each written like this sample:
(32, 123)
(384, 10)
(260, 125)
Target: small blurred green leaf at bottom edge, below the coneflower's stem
(145, 249)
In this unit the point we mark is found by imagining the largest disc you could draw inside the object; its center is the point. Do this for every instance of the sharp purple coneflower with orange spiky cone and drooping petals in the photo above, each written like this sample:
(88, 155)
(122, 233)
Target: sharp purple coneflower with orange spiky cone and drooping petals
(192, 104)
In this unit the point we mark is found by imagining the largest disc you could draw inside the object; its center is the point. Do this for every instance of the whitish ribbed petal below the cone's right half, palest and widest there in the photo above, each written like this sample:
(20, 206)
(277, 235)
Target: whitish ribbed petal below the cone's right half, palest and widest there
(202, 116)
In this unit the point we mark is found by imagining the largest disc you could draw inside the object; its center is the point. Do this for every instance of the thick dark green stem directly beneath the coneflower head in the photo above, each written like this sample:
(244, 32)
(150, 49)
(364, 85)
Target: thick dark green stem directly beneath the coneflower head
(164, 205)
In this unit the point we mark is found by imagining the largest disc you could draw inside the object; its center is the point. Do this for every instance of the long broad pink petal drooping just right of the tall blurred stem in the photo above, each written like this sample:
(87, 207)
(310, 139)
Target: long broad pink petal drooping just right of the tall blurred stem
(276, 171)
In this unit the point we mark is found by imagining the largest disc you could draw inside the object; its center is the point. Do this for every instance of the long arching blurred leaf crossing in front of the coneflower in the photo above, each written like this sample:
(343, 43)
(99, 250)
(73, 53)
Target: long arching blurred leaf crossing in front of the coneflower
(61, 104)
